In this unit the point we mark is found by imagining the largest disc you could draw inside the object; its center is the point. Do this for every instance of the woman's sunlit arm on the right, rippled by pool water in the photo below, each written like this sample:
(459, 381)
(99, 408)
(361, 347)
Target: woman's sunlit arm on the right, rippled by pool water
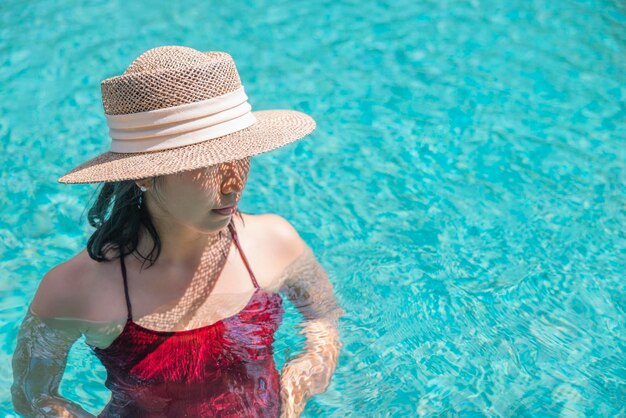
(306, 284)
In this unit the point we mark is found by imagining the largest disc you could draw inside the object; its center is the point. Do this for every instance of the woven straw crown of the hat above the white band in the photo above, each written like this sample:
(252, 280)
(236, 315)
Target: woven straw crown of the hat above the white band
(169, 76)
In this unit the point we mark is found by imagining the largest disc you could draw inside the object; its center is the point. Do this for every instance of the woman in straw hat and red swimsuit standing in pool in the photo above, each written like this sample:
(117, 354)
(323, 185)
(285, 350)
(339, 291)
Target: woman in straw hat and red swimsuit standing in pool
(177, 292)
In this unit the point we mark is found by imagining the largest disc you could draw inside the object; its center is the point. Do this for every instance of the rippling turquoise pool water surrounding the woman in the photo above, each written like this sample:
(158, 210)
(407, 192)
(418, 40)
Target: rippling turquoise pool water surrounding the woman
(464, 187)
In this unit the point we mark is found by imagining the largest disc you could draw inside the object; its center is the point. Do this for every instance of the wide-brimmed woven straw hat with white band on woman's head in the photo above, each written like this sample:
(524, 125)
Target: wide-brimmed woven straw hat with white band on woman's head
(176, 109)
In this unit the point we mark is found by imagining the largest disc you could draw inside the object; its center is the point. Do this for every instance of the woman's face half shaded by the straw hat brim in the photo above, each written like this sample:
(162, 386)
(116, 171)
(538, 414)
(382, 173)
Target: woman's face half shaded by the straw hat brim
(189, 197)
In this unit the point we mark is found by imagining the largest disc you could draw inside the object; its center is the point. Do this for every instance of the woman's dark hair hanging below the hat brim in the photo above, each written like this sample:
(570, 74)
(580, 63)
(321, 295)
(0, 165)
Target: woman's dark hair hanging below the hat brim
(119, 216)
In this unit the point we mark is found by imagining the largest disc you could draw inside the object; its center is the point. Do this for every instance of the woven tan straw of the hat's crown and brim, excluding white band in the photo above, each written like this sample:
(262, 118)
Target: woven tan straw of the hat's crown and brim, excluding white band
(174, 75)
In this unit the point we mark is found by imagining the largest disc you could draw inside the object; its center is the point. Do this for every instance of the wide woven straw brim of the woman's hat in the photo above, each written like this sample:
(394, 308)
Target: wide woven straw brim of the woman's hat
(273, 129)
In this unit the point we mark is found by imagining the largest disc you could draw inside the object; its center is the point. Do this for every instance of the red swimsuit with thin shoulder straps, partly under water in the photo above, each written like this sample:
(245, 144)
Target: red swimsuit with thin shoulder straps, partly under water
(225, 369)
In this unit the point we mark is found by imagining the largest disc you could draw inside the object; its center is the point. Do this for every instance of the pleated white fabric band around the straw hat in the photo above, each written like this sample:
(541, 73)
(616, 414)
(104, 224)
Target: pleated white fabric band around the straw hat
(180, 125)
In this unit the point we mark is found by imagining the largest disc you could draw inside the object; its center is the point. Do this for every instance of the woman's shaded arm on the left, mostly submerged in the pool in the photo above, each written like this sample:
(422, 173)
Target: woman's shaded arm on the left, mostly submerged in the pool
(43, 343)
